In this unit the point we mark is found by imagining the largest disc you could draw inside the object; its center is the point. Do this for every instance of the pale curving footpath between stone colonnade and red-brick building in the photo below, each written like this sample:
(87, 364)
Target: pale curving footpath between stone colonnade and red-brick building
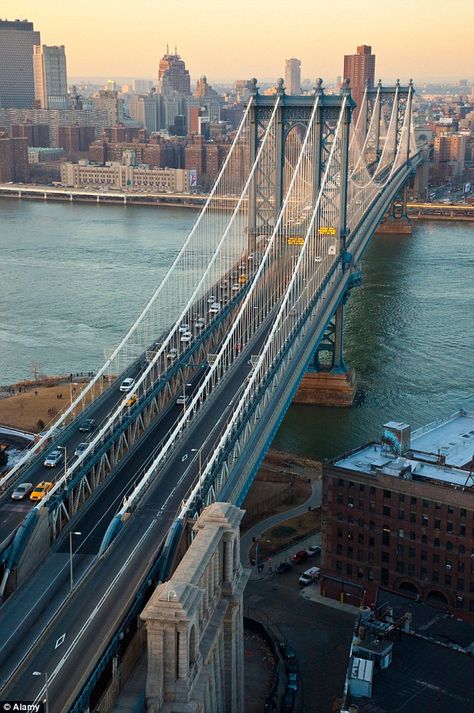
(257, 530)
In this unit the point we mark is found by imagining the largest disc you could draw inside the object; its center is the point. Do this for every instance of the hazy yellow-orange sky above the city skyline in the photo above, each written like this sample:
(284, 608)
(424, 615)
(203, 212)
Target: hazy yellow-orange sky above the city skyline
(232, 40)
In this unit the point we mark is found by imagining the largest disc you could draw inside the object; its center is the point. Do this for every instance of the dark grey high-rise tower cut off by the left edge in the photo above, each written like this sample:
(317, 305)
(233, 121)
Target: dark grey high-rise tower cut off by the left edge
(17, 87)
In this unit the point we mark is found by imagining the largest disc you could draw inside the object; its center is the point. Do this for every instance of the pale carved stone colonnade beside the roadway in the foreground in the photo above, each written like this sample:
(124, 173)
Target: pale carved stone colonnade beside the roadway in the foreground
(194, 623)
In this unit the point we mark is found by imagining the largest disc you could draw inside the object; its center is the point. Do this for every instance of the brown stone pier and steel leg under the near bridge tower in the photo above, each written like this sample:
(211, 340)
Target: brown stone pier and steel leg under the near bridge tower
(331, 382)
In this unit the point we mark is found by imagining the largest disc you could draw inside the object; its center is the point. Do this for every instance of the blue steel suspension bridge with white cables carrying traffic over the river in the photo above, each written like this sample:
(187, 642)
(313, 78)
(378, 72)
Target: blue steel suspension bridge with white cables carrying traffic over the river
(255, 290)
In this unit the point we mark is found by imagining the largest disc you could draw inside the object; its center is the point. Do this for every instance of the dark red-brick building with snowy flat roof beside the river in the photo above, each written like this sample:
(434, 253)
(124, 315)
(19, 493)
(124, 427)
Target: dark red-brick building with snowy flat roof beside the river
(400, 514)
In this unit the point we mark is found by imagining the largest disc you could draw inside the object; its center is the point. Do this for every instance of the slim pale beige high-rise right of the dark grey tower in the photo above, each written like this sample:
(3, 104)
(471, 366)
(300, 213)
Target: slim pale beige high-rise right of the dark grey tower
(49, 68)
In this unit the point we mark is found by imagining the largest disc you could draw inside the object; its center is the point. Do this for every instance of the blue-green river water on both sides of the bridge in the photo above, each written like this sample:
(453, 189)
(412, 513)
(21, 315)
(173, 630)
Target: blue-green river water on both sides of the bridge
(74, 277)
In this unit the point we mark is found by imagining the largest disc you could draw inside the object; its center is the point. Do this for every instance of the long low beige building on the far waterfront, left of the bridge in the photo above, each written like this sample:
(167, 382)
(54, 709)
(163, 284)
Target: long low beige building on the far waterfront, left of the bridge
(125, 176)
